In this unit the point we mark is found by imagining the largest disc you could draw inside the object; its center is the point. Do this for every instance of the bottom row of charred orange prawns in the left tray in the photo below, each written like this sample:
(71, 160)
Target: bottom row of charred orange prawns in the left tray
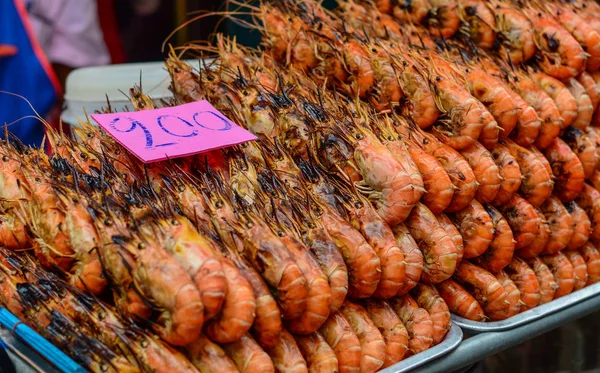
(357, 338)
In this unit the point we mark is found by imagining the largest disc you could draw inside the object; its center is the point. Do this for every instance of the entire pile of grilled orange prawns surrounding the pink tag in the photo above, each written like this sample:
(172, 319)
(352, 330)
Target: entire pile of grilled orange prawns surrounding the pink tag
(413, 159)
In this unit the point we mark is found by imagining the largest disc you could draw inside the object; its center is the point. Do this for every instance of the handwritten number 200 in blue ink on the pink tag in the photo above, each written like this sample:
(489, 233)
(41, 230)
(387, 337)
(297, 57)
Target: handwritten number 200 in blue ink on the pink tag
(162, 124)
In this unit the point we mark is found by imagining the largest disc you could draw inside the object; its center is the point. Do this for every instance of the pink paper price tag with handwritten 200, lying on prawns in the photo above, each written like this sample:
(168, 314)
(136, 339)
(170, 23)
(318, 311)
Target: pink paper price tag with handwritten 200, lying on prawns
(172, 132)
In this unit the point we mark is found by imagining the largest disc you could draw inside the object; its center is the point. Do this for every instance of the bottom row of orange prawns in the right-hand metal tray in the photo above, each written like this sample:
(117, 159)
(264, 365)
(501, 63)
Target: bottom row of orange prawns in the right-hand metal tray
(479, 295)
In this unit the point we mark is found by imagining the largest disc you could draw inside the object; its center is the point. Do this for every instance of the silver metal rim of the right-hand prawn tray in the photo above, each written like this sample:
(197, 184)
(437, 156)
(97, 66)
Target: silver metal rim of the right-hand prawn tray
(528, 316)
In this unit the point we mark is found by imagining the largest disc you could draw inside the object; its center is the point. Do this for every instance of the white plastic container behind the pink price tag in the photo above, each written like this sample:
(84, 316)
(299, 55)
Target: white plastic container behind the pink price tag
(88, 88)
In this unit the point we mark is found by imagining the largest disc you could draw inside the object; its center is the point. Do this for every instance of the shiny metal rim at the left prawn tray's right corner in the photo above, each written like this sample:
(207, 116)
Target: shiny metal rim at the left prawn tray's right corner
(451, 342)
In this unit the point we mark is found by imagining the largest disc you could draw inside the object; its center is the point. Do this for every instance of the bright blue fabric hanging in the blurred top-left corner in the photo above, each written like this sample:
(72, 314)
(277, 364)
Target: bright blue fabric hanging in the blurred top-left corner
(22, 74)
